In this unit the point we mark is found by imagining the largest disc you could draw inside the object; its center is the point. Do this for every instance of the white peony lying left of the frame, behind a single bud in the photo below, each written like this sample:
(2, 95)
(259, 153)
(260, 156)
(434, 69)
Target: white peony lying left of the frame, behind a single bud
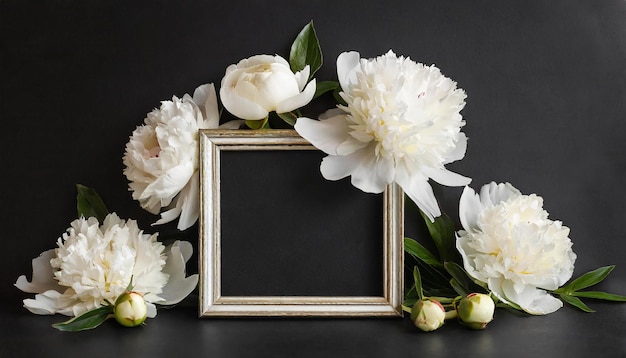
(94, 264)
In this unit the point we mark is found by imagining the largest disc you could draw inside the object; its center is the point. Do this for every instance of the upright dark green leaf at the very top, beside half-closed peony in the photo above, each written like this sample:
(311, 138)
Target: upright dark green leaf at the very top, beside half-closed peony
(306, 50)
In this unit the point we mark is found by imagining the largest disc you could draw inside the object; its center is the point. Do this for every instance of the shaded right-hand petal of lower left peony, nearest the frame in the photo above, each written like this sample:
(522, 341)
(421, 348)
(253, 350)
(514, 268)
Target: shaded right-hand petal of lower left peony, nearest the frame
(178, 286)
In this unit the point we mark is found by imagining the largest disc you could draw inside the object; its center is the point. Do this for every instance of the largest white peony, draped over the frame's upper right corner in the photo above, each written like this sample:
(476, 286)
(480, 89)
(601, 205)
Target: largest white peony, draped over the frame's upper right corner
(401, 124)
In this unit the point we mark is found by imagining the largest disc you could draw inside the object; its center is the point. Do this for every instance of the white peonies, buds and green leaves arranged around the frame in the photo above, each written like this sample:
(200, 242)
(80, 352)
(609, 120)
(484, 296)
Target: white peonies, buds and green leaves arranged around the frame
(396, 122)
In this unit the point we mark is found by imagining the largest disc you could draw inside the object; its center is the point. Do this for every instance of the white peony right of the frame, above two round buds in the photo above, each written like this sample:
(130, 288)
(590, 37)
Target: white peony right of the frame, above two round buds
(509, 244)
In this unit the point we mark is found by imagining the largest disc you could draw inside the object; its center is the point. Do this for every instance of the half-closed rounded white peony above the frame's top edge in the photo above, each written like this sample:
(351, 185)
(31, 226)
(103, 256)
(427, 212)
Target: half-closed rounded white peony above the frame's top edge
(261, 84)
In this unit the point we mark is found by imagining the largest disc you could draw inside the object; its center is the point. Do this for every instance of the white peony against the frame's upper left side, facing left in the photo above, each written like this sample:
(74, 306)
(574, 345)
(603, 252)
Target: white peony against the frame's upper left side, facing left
(162, 156)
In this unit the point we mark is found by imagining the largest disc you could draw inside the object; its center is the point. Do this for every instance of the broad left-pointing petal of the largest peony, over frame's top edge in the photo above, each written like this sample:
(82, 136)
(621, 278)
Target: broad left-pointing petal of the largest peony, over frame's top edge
(326, 135)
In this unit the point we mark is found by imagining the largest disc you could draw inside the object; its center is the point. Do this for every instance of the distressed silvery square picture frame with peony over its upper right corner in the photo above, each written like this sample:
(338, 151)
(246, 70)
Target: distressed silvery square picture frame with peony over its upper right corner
(212, 303)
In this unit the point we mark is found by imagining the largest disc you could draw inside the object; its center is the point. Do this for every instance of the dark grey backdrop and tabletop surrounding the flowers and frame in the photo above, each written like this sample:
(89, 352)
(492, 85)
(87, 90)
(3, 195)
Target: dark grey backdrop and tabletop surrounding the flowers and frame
(546, 85)
